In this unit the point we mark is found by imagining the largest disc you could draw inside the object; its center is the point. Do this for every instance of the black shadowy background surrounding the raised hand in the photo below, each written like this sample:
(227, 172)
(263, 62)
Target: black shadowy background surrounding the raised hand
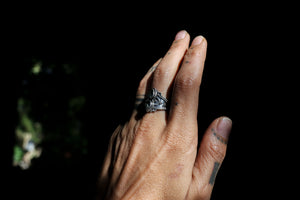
(109, 50)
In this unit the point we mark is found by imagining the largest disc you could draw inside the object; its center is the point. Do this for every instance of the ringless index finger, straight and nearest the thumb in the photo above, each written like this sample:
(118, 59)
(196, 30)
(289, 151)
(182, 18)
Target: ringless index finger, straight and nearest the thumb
(184, 105)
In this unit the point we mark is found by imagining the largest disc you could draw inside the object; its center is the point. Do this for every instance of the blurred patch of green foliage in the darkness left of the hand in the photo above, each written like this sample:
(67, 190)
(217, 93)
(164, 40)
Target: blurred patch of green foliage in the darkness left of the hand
(51, 108)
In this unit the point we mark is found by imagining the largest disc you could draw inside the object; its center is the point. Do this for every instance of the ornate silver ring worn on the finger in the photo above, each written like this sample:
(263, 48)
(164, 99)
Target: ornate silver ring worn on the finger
(155, 101)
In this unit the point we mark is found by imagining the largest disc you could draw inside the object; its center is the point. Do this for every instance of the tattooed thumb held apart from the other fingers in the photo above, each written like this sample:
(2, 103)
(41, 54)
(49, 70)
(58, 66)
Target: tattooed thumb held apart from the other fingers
(211, 154)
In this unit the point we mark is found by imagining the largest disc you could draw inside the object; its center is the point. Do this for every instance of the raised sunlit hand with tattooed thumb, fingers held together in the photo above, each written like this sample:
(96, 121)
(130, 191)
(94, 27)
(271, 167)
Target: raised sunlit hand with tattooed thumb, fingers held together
(154, 155)
